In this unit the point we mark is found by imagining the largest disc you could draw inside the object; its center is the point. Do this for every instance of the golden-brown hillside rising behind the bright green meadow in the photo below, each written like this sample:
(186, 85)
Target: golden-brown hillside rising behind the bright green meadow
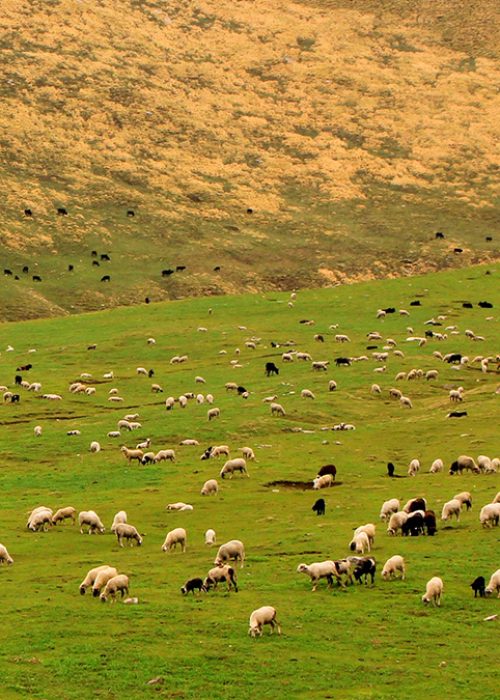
(306, 144)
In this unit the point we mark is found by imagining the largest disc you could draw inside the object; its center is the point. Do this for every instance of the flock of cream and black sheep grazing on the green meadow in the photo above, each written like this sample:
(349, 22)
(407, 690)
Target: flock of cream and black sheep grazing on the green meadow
(414, 519)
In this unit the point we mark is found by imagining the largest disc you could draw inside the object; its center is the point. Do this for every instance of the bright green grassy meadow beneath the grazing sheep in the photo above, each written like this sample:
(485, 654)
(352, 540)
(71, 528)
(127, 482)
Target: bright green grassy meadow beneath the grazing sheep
(364, 642)
